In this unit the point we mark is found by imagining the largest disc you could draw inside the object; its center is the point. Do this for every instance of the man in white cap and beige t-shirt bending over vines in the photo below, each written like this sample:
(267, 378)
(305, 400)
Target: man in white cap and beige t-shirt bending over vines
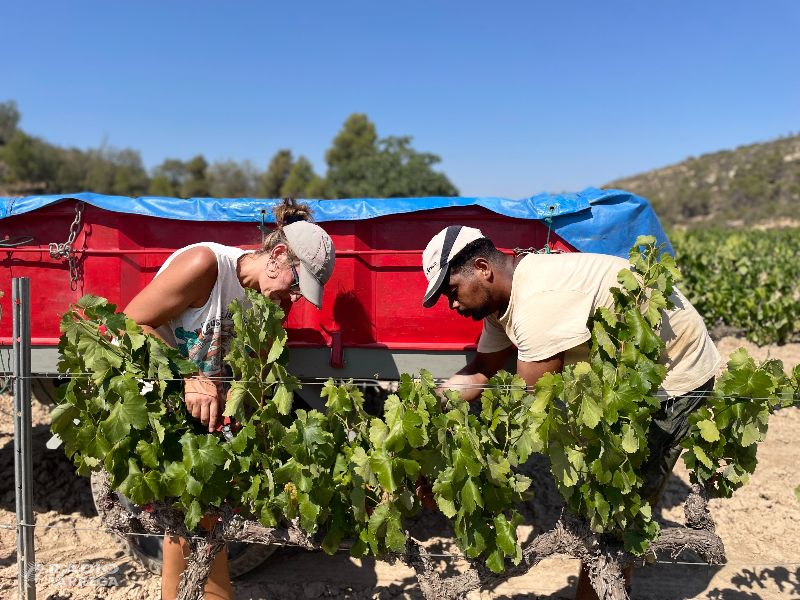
(539, 305)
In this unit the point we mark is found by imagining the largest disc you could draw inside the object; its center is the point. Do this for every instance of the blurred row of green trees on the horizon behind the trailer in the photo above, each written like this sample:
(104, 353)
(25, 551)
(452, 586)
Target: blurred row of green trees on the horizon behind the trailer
(360, 164)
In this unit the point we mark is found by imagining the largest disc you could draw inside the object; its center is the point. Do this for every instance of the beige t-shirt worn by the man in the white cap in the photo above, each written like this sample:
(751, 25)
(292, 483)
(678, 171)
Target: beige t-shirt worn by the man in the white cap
(553, 296)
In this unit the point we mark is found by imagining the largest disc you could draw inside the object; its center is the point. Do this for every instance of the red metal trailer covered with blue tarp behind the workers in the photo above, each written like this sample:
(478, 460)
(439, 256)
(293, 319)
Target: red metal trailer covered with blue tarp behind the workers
(372, 324)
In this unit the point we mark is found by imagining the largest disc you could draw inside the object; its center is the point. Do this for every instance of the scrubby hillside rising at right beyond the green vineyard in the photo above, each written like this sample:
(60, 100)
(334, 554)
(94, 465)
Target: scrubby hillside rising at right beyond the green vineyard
(751, 184)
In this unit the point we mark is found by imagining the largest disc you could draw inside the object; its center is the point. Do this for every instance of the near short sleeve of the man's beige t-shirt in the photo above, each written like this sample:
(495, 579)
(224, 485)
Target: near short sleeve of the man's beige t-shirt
(549, 322)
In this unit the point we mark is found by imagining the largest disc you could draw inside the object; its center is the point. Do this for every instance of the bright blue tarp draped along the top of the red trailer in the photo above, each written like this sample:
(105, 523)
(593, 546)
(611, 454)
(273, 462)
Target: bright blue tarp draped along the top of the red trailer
(603, 221)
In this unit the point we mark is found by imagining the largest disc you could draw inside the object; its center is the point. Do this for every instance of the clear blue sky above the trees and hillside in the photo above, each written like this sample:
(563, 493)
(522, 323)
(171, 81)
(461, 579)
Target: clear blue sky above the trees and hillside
(516, 97)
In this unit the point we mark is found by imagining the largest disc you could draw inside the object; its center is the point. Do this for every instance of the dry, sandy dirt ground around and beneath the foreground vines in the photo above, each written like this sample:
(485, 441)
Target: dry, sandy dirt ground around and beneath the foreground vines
(760, 527)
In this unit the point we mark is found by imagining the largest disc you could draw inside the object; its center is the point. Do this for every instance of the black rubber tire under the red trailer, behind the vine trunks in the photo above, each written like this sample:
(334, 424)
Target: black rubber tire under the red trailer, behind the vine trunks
(242, 558)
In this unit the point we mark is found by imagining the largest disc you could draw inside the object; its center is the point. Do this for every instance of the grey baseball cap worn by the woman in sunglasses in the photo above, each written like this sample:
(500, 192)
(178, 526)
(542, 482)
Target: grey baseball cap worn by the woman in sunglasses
(314, 247)
